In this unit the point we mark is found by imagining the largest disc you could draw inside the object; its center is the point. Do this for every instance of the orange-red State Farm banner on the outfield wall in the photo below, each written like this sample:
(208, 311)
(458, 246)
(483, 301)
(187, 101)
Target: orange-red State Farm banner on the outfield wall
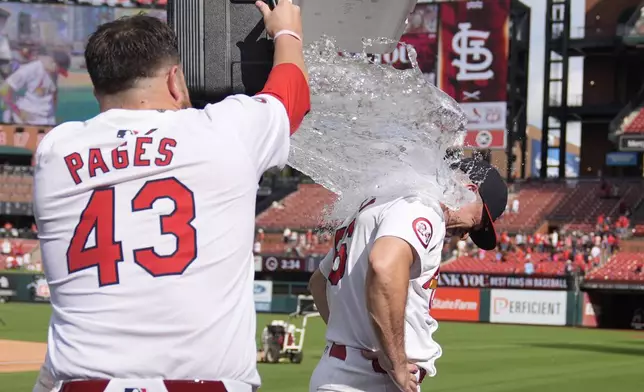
(456, 304)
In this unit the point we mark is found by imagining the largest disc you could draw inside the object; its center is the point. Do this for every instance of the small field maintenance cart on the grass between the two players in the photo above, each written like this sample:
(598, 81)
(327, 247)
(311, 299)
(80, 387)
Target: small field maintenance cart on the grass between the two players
(283, 340)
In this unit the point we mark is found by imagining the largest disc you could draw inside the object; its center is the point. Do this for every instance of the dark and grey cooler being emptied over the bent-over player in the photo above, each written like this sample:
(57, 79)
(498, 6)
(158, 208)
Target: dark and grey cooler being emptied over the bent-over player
(224, 48)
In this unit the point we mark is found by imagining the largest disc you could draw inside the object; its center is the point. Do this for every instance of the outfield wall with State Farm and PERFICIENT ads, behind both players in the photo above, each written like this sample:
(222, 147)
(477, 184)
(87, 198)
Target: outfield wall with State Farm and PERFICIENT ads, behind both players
(460, 297)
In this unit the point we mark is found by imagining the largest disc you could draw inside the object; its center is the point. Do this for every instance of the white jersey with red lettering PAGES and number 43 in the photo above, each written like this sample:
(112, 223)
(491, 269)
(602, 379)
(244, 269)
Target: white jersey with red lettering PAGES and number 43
(146, 222)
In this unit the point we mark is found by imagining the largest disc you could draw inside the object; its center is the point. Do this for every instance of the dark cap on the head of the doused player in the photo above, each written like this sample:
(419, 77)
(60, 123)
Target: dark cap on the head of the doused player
(494, 193)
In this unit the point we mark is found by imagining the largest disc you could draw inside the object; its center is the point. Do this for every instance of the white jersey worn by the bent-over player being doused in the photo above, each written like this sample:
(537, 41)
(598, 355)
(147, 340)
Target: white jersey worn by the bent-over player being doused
(346, 270)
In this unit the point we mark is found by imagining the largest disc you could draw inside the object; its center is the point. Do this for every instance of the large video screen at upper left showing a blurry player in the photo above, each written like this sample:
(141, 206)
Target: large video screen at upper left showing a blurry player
(42, 65)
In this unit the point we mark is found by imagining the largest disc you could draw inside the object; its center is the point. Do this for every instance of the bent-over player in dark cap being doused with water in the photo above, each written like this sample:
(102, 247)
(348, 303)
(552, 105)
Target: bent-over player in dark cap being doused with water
(374, 289)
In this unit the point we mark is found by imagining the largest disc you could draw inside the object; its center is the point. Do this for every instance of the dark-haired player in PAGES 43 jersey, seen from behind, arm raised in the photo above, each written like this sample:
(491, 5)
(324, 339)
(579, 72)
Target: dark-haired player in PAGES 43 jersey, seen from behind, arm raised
(146, 214)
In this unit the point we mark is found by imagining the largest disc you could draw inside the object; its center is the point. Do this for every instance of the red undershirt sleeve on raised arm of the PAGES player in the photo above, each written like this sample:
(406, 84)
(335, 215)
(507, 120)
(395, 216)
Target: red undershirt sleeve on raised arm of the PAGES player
(287, 83)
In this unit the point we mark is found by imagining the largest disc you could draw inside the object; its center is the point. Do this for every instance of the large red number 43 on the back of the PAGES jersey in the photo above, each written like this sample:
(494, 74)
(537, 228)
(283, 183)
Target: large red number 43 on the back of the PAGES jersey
(99, 216)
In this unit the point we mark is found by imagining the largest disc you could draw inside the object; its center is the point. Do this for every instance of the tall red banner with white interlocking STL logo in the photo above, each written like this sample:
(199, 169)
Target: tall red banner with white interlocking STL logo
(474, 49)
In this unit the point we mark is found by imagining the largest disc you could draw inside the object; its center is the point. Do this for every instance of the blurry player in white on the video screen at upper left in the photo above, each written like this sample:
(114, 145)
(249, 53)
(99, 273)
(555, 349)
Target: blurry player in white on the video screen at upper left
(39, 81)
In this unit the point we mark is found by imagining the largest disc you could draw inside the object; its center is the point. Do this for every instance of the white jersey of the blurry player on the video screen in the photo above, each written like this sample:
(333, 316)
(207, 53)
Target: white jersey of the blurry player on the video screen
(40, 90)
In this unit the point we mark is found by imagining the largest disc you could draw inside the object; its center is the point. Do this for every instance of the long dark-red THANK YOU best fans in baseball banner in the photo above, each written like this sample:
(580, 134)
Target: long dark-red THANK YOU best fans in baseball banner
(456, 279)
